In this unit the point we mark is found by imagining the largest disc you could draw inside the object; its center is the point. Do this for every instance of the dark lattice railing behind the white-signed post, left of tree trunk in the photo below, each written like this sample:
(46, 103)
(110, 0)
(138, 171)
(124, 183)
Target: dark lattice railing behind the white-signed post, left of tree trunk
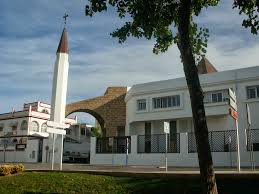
(156, 143)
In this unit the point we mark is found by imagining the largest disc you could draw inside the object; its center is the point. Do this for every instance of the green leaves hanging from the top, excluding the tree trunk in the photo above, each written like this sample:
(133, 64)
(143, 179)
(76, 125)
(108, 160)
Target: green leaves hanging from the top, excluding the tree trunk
(159, 19)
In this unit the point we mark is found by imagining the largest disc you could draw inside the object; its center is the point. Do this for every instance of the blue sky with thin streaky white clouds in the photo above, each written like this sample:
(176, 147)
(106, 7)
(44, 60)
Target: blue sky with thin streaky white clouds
(30, 31)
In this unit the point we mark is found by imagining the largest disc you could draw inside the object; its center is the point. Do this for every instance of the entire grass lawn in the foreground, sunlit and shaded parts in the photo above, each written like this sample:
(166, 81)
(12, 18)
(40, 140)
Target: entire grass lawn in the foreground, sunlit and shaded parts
(48, 182)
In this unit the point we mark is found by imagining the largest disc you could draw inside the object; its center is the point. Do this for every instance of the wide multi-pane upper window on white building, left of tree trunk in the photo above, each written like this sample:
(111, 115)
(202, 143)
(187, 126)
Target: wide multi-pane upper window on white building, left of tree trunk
(166, 102)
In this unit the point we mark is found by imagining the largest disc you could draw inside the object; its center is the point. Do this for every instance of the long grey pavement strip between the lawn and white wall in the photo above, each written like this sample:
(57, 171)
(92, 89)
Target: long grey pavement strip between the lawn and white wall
(149, 171)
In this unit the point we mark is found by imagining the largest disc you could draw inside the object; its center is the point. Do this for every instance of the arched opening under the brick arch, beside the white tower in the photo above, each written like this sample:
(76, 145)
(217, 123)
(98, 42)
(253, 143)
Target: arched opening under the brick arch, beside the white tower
(77, 142)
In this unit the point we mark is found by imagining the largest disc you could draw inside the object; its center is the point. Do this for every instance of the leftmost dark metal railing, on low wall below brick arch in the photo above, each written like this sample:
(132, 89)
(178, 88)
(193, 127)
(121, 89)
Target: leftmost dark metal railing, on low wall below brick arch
(113, 144)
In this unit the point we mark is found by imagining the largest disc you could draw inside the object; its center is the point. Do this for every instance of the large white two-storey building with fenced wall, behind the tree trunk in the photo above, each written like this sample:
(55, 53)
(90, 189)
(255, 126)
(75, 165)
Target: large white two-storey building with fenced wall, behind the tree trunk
(149, 105)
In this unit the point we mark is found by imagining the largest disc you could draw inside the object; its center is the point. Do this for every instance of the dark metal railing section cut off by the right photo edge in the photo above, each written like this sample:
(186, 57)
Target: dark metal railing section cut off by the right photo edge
(252, 136)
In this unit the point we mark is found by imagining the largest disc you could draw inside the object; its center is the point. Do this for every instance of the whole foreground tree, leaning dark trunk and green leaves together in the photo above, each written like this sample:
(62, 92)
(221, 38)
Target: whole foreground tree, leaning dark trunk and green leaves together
(171, 22)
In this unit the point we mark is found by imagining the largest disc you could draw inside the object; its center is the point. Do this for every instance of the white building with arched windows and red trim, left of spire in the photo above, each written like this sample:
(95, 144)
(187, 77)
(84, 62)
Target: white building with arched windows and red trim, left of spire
(23, 134)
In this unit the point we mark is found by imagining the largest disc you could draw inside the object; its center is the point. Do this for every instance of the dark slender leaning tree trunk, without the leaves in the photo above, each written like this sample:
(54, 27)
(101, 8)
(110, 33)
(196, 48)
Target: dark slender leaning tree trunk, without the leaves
(207, 175)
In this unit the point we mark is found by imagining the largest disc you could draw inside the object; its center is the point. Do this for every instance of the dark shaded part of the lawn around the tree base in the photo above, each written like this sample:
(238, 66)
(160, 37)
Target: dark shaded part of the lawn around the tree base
(189, 186)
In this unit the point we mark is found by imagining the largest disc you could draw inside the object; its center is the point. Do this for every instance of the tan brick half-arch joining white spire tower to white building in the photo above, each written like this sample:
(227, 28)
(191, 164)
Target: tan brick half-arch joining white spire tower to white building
(109, 109)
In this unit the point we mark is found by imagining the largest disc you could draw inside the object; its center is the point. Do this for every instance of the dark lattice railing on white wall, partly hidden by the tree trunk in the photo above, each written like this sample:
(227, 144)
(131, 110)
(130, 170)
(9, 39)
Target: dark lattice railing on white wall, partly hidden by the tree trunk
(220, 141)
